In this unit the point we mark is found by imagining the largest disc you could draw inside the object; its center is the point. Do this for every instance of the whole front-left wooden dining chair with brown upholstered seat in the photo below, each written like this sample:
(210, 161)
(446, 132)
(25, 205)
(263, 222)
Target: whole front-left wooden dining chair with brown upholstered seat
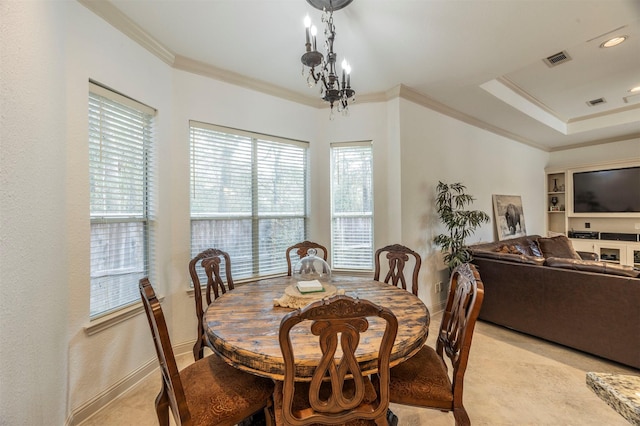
(207, 392)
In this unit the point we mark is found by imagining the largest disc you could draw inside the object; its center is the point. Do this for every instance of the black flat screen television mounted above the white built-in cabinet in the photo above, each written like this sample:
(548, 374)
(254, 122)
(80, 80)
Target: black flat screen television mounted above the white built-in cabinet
(607, 191)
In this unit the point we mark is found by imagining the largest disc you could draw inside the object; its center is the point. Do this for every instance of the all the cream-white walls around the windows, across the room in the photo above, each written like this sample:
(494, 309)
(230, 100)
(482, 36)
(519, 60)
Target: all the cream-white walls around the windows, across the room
(52, 370)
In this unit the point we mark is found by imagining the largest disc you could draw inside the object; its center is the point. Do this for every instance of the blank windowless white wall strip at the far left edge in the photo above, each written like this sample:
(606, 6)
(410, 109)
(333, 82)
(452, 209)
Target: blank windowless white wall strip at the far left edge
(34, 289)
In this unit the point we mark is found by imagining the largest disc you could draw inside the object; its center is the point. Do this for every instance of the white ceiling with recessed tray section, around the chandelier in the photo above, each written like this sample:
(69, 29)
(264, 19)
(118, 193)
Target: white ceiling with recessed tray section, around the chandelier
(478, 60)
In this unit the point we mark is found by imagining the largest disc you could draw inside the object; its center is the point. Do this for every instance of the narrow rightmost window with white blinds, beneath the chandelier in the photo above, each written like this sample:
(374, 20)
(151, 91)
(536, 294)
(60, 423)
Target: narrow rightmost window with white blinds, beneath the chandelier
(352, 205)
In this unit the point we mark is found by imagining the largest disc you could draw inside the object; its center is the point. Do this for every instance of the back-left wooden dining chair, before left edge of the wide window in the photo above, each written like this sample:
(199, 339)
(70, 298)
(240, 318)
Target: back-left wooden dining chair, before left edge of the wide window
(208, 261)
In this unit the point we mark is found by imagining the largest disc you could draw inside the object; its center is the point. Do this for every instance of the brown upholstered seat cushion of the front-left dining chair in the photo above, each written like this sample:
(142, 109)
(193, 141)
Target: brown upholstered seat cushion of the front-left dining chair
(219, 394)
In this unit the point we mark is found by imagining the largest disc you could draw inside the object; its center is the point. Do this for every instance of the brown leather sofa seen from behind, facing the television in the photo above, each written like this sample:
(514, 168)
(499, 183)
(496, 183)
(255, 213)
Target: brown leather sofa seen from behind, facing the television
(556, 295)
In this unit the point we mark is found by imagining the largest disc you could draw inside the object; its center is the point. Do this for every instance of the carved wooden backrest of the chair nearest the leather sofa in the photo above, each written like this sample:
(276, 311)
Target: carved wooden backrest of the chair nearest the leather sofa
(458, 321)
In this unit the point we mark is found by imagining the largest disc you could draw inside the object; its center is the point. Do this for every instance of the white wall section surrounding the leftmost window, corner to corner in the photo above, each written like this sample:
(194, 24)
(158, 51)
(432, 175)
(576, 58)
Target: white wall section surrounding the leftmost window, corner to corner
(94, 50)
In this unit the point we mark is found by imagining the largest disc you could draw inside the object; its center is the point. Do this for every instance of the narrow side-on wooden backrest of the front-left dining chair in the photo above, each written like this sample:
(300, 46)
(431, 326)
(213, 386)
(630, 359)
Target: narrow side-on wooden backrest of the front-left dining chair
(168, 366)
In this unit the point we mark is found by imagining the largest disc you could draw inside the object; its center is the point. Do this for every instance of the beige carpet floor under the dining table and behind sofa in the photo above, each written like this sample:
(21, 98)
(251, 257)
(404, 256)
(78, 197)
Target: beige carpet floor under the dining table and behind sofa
(512, 379)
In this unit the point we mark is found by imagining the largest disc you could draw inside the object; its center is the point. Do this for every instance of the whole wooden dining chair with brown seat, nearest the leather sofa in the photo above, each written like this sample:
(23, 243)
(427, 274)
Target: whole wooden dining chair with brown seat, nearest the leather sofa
(423, 380)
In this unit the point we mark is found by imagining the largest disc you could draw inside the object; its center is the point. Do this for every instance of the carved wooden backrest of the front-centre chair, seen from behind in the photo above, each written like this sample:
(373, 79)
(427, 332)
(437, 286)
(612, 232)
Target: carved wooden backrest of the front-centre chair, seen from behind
(337, 391)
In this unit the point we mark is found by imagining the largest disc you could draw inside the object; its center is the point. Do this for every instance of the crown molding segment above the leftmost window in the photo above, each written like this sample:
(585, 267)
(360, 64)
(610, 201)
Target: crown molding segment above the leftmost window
(120, 21)
